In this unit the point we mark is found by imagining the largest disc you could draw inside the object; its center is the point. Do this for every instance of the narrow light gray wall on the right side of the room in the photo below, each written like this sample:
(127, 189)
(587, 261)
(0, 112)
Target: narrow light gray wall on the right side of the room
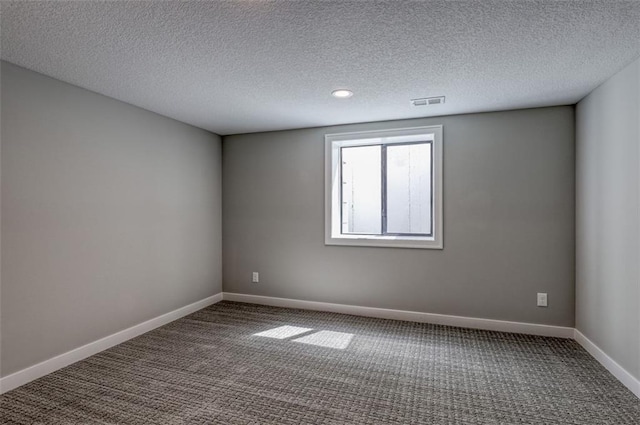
(608, 218)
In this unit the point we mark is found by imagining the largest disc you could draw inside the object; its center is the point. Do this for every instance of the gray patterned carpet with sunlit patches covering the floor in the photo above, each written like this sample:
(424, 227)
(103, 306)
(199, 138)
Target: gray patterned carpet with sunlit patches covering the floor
(211, 368)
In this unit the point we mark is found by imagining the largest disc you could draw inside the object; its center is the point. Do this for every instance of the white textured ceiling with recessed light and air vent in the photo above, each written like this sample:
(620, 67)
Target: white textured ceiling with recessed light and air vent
(246, 66)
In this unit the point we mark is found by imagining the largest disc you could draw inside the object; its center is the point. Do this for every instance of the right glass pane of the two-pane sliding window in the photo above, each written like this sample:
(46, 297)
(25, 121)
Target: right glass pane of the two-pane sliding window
(409, 188)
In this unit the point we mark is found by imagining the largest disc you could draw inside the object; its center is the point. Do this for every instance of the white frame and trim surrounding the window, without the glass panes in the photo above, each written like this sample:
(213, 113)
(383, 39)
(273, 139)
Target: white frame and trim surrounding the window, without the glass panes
(333, 143)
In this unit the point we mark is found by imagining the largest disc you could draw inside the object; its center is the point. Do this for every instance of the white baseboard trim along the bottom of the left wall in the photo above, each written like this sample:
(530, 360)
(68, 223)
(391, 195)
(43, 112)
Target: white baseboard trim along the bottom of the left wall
(46, 367)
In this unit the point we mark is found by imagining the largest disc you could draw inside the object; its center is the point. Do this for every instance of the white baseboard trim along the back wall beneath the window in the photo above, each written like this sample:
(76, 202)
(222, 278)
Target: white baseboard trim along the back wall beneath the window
(412, 316)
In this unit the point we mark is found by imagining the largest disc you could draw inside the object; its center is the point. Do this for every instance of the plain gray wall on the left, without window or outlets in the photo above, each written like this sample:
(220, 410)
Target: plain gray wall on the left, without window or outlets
(110, 216)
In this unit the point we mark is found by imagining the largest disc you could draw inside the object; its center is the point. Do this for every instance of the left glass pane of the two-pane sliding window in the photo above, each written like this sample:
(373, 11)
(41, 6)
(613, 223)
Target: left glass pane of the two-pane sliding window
(362, 190)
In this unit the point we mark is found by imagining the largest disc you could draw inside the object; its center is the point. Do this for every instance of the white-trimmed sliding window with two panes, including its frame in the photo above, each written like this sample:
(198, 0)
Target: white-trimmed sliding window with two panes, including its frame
(384, 188)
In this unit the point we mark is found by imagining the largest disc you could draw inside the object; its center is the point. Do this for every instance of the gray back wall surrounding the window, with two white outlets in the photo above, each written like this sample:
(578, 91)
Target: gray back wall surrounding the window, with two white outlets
(508, 217)
